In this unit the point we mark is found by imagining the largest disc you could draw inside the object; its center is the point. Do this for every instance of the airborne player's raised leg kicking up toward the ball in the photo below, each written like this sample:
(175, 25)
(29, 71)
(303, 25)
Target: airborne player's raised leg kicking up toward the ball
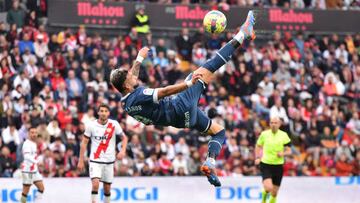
(225, 53)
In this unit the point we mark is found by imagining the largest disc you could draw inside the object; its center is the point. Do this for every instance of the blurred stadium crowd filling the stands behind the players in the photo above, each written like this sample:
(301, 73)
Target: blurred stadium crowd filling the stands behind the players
(56, 80)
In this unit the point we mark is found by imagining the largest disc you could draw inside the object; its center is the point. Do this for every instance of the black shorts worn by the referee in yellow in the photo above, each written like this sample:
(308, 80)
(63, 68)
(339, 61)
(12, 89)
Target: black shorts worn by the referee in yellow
(275, 172)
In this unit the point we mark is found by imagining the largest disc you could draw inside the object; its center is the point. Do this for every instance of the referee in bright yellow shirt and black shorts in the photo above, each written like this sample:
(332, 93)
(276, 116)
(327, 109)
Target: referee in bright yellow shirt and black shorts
(271, 147)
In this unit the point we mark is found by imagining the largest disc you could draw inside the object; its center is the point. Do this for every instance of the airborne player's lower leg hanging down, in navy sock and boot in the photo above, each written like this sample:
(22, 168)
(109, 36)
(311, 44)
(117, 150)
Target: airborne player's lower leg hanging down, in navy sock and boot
(217, 133)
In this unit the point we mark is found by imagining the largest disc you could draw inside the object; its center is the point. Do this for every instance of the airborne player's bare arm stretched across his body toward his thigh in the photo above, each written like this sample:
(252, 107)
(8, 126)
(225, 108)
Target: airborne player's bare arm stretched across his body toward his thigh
(174, 89)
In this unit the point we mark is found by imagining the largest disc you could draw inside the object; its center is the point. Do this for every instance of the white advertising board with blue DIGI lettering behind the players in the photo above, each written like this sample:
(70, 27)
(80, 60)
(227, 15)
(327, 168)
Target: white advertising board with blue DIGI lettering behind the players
(191, 190)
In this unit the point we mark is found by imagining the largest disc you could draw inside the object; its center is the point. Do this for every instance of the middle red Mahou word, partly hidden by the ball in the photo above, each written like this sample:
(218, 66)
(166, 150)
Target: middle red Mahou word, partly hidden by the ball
(185, 13)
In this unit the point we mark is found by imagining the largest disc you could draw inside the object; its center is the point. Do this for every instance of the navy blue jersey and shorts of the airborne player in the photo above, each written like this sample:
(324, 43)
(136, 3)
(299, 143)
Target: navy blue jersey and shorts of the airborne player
(178, 111)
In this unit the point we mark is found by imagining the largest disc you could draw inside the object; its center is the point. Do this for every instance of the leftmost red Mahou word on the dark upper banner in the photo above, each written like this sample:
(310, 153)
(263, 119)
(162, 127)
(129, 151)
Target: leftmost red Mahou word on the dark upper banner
(99, 10)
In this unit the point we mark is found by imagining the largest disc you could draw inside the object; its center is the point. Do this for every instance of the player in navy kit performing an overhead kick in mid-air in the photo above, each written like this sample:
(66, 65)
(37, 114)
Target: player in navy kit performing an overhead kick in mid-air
(154, 107)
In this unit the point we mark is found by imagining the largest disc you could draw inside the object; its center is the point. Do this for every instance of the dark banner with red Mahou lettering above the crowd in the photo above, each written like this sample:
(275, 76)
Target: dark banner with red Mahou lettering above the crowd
(177, 16)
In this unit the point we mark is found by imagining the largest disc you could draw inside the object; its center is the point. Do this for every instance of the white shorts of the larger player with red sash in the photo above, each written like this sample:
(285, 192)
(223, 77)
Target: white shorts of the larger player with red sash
(105, 172)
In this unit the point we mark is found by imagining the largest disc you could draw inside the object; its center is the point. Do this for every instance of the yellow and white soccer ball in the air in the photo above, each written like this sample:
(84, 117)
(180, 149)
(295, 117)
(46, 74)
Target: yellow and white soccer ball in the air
(214, 22)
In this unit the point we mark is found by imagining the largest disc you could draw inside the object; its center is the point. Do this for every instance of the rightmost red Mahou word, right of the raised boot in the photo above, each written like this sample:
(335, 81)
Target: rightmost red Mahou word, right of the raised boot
(280, 16)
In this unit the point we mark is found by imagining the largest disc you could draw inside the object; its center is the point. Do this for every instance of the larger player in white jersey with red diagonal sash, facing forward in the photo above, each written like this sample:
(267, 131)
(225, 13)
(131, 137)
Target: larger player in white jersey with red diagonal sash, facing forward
(102, 133)
